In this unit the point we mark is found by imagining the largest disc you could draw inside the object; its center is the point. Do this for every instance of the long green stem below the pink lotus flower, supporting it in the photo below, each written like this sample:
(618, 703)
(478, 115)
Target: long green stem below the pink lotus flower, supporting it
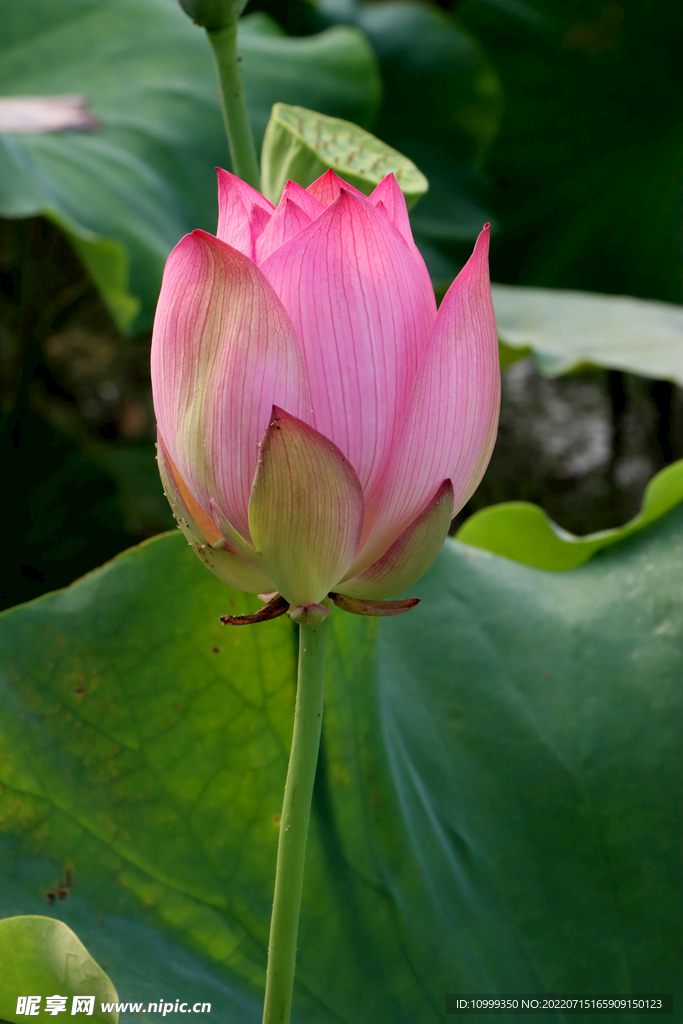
(294, 825)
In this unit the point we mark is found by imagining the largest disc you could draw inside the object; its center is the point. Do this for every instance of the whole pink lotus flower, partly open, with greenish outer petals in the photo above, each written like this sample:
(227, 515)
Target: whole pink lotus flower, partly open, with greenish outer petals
(320, 422)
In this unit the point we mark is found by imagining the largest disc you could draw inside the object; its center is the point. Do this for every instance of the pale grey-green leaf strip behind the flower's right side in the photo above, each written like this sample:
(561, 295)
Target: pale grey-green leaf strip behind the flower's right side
(569, 330)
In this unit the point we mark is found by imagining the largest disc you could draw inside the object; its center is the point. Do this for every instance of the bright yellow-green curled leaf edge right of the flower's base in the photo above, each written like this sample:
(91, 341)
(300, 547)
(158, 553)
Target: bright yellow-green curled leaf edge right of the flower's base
(524, 532)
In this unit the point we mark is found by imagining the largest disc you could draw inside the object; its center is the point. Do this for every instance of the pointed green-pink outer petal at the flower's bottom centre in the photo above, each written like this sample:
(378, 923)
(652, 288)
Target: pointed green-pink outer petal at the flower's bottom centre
(307, 510)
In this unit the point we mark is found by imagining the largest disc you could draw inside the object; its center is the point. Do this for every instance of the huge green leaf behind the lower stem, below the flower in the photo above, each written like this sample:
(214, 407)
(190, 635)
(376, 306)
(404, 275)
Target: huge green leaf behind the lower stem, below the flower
(496, 807)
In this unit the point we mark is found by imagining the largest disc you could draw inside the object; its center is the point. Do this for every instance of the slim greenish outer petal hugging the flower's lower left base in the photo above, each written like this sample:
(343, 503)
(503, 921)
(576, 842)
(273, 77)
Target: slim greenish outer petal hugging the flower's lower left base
(202, 533)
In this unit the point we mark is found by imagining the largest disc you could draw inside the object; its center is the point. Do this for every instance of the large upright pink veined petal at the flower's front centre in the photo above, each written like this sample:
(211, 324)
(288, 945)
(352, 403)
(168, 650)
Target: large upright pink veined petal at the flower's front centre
(363, 316)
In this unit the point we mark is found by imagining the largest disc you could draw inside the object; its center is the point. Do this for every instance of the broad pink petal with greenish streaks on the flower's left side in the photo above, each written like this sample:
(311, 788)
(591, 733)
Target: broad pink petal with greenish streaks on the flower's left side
(224, 352)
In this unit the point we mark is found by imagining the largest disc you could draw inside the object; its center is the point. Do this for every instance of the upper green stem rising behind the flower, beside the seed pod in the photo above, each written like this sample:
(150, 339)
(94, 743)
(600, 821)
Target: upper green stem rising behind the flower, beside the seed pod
(243, 153)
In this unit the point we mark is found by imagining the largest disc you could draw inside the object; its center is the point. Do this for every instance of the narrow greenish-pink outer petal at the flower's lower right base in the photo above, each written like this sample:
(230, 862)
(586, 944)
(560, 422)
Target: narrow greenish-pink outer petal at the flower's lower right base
(410, 557)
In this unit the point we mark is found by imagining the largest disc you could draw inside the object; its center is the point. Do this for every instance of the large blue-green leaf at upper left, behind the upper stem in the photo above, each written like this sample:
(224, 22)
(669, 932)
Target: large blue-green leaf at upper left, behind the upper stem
(125, 193)
